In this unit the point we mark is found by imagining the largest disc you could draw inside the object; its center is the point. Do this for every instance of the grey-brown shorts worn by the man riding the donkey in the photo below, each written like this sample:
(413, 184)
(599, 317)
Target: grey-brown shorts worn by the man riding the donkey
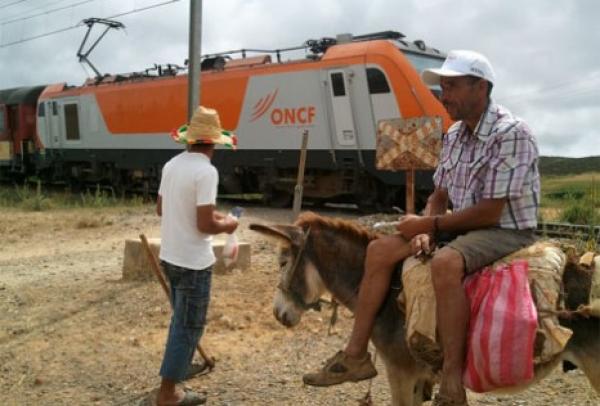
(480, 248)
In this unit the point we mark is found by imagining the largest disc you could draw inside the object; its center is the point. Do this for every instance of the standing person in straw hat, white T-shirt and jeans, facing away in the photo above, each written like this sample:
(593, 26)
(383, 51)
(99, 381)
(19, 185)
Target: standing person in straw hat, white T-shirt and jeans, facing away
(186, 203)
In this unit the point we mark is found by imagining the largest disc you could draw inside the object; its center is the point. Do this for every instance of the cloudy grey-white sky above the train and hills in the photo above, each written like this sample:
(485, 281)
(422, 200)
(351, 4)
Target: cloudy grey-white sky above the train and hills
(545, 52)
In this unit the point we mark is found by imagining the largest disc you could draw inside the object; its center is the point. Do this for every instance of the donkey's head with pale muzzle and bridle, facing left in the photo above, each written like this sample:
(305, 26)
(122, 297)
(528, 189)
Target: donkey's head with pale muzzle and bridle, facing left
(300, 285)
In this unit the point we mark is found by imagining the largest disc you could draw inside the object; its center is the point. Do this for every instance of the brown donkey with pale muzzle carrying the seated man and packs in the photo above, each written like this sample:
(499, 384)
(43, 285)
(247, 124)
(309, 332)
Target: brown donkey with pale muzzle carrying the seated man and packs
(326, 254)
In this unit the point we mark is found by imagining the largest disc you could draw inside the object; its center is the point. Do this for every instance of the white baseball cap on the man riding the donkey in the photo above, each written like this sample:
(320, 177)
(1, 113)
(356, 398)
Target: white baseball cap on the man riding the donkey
(461, 63)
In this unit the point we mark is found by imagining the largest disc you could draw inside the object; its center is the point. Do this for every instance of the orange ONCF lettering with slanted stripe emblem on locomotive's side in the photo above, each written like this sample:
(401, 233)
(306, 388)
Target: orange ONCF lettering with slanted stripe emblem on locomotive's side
(283, 116)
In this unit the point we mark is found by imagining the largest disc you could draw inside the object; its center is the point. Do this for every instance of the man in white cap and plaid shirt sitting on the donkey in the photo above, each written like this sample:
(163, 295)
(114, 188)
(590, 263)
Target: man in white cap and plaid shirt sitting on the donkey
(488, 173)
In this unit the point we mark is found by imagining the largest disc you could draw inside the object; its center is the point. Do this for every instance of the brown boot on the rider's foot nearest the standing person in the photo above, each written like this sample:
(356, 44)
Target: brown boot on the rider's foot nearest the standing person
(342, 368)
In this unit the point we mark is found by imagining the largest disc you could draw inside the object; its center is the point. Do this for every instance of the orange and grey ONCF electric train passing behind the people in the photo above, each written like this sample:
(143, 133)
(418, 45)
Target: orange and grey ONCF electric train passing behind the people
(114, 130)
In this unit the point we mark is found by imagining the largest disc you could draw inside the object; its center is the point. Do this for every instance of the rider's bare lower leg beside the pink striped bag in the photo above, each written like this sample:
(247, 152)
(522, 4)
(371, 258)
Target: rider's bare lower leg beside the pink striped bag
(447, 270)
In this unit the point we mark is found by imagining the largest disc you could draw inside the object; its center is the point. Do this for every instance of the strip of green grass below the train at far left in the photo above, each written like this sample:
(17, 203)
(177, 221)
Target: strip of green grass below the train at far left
(32, 196)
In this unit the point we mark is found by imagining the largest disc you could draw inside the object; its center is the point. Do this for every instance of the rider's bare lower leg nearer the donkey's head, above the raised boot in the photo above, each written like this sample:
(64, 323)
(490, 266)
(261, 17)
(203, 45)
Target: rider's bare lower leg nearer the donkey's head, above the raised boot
(382, 256)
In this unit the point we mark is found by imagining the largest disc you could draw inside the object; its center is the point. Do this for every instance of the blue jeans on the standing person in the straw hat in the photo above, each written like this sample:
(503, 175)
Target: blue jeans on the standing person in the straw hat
(190, 295)
